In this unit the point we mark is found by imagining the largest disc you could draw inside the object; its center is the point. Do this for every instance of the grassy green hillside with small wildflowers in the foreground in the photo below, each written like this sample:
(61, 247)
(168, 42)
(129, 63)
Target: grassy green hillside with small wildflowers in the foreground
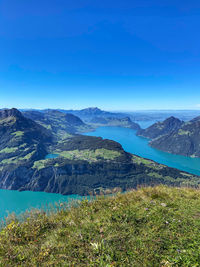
(150, 227)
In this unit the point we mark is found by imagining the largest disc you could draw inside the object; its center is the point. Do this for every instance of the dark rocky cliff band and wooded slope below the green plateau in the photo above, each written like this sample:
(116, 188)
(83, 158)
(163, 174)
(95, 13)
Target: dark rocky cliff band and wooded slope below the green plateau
(81, 177)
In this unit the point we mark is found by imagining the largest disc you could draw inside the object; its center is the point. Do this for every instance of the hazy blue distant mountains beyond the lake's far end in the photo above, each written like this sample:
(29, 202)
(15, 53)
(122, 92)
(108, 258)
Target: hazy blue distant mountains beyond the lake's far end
(61, 122)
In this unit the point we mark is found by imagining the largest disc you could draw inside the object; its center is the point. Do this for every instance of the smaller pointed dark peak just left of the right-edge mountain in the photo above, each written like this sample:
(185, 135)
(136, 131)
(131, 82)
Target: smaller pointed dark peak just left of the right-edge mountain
(161, 128)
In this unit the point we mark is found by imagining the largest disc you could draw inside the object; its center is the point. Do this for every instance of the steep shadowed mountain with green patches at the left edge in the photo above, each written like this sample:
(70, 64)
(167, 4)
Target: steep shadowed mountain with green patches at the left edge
(21, 138)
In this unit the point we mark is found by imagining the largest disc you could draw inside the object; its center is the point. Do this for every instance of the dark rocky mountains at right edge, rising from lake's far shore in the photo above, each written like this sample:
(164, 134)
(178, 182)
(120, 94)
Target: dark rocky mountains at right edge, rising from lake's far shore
(175, 136)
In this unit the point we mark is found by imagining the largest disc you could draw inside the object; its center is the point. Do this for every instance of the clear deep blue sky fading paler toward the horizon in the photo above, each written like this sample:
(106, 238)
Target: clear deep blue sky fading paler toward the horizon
(117, 55)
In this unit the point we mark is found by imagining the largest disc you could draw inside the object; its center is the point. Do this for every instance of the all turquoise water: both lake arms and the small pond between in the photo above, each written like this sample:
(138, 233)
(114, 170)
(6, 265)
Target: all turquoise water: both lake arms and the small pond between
(14, 201)
